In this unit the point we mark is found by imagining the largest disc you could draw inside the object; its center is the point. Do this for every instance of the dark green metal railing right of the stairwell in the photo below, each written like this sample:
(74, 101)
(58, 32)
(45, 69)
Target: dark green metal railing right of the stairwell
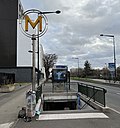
(93, 92)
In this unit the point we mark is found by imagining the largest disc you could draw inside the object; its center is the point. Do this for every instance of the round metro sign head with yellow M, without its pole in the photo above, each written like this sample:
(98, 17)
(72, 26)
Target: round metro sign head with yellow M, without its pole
(41, 21)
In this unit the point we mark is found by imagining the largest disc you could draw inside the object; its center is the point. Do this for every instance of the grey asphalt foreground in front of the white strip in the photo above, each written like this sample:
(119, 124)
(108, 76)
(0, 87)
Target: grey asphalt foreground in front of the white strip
(107, 120)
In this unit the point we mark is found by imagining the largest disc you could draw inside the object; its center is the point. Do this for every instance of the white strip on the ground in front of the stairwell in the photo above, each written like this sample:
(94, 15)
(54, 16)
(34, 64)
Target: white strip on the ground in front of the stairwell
(71, 116)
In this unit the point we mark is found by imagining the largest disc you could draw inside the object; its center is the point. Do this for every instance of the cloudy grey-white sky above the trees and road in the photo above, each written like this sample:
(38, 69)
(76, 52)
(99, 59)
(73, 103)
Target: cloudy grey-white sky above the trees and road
(75, 32)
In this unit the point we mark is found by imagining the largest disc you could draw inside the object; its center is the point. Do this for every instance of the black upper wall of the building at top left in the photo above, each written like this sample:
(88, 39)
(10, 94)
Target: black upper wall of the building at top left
(10, 11)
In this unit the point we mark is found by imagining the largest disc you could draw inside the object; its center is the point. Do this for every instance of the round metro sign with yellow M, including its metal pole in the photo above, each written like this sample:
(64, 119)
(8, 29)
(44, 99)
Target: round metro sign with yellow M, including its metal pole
(41, 23)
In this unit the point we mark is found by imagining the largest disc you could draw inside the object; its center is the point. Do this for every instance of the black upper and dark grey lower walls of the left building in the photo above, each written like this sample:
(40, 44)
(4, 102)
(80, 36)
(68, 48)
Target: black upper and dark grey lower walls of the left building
(10, 11)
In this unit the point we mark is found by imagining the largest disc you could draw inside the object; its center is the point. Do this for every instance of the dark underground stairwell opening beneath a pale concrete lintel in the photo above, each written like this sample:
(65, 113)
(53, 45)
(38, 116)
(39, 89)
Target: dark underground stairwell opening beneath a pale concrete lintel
(63, 101)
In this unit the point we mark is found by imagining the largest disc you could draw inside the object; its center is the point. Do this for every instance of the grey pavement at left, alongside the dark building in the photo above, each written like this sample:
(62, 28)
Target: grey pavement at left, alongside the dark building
(11, 103)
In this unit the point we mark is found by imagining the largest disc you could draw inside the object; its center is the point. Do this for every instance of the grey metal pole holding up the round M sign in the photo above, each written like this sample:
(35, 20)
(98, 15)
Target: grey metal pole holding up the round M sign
(33, 62)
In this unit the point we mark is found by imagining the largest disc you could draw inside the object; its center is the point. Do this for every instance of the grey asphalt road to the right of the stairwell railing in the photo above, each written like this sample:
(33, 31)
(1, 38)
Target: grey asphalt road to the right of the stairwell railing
(112, 95)
